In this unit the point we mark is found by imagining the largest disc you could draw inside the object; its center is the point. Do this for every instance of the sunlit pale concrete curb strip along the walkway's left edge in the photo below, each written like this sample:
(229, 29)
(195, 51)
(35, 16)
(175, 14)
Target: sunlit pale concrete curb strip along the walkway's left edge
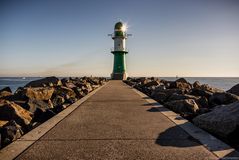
(17, 147)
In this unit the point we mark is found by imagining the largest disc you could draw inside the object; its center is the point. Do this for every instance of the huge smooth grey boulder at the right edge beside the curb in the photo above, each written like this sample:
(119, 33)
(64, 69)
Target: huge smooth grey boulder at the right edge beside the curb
(222, 121)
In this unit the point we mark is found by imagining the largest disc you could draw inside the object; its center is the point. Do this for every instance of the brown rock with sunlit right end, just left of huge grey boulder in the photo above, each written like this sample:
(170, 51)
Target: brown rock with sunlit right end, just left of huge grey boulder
(183, 106)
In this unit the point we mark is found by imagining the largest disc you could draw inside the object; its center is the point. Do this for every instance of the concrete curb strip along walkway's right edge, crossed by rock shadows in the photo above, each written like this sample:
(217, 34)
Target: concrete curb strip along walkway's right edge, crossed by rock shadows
(220, 149)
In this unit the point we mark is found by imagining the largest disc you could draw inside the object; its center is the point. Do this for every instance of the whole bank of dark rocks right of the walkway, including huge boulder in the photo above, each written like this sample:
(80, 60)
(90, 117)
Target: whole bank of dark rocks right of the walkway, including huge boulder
(209, 108)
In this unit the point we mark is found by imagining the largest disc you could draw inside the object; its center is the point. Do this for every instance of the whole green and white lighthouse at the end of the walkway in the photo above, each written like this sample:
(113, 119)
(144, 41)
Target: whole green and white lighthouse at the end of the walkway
(119, 51)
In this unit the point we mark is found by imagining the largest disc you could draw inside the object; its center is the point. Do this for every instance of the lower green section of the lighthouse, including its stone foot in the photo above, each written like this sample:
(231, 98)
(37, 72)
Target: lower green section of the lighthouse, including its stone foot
(119, 70)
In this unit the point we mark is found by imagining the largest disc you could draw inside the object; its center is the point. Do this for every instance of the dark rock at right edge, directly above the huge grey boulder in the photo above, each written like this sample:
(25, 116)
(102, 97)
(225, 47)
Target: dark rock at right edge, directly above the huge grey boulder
(223, 98)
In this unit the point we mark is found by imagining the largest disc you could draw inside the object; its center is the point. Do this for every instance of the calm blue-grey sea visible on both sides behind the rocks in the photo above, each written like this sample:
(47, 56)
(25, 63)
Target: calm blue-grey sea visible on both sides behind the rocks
(224, 83)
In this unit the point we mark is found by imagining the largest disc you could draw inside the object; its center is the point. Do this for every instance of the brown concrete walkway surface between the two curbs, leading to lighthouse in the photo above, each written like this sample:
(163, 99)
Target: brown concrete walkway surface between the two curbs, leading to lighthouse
(116, 123)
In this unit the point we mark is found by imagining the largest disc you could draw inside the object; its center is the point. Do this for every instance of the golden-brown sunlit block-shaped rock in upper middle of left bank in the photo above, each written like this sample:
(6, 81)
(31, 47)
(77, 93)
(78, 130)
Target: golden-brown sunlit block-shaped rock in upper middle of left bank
(40, 93)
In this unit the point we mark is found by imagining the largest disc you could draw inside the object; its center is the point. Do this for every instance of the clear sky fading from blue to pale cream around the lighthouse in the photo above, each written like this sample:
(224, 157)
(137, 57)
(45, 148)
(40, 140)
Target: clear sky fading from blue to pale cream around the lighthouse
(187, 38)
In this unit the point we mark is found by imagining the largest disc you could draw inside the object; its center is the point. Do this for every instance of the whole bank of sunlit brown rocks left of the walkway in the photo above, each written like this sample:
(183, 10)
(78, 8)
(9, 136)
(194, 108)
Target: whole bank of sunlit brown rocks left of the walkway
(38, 101)
